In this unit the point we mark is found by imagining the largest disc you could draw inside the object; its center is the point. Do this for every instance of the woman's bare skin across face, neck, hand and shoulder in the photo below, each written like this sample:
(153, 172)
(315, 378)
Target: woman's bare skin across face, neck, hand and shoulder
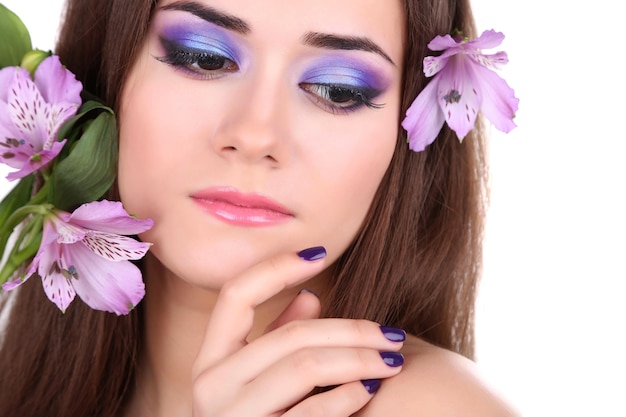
(228, 330)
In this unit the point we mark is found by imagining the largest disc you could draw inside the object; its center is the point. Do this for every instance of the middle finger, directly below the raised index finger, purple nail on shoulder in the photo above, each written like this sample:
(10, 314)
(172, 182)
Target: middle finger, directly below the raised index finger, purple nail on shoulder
(257, 357)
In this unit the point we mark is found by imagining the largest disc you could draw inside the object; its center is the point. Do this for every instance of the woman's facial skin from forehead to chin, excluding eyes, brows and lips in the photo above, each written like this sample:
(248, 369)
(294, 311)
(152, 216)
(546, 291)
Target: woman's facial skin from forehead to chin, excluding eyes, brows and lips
(256, 130)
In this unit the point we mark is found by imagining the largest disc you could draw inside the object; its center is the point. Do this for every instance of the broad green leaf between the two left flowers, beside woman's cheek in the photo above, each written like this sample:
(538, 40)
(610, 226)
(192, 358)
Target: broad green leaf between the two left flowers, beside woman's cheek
(91, 166)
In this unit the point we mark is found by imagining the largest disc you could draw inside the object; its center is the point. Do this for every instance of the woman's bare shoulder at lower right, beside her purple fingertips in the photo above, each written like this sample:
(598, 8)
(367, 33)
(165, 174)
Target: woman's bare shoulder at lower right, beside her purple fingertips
(436, 383)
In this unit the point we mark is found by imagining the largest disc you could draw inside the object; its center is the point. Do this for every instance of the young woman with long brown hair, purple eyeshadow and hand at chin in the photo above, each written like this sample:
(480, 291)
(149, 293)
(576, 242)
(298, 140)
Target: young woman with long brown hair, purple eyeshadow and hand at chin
(294, 234)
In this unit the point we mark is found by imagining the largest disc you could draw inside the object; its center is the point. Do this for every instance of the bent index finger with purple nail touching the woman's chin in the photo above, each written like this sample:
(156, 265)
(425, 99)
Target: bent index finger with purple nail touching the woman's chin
(233, 315)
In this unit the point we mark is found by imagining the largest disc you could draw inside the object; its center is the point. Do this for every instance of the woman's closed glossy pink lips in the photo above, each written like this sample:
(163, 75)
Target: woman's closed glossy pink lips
(231, 206)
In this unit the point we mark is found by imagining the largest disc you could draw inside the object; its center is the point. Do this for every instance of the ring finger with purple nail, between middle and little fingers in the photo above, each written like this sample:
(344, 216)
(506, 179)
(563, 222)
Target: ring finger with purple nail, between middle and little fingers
(289, 380)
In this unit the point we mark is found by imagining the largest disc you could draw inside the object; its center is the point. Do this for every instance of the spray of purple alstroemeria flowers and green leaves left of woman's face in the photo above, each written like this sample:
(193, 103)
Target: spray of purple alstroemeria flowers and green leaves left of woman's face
(63, 155)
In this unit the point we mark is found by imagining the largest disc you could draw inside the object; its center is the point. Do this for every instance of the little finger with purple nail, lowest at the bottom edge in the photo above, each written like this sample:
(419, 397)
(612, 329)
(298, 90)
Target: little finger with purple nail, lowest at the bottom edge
(342, 401)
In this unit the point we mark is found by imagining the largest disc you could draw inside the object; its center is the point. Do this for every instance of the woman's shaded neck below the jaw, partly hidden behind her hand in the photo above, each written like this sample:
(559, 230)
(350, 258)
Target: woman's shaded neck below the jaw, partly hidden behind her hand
(176, 317)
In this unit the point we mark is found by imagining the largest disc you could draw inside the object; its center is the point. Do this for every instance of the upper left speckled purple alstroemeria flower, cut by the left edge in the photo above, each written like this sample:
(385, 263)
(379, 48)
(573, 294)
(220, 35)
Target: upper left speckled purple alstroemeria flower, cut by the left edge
(31, 113)
